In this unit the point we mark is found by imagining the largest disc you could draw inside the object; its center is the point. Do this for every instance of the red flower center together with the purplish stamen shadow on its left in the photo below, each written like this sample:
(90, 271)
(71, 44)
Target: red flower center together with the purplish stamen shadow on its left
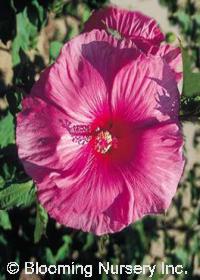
(112, 140)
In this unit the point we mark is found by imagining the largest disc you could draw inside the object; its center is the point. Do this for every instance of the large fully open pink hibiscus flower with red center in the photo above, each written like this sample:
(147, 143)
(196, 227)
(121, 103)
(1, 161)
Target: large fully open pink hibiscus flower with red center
(100, 135)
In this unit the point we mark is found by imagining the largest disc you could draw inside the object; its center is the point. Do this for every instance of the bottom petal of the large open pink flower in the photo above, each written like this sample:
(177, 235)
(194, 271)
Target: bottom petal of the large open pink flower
(98, 200)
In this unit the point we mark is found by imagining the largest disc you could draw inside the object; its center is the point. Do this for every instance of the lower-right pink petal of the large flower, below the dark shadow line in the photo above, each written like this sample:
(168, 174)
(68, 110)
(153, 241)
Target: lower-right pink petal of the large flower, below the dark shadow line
(156, 170)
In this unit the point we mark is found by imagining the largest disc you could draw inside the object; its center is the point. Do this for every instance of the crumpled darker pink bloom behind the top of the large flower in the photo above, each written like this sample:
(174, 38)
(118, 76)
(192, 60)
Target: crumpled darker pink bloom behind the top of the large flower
(130, 25)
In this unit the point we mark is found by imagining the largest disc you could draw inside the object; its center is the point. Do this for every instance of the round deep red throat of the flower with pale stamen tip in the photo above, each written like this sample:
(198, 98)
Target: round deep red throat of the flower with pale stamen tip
(113, 139)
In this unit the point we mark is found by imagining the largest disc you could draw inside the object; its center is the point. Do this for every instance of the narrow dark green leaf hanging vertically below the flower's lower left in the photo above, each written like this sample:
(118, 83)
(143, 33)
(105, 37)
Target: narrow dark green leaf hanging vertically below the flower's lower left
(41, 223)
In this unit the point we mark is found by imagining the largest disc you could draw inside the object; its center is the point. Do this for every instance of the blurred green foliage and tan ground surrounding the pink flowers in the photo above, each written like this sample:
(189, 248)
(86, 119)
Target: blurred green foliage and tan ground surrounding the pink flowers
(31, 35)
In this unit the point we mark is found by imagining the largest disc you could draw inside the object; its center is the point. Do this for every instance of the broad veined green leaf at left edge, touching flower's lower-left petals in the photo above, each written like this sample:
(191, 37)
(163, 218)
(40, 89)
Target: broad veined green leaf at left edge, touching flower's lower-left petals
(17, 195)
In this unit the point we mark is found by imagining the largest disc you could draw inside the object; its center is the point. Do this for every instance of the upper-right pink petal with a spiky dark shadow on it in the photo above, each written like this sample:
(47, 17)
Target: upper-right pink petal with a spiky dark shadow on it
(145, 90)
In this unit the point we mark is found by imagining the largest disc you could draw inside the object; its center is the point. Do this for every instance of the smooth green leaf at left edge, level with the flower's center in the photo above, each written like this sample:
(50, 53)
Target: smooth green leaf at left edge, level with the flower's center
(7, 131)
